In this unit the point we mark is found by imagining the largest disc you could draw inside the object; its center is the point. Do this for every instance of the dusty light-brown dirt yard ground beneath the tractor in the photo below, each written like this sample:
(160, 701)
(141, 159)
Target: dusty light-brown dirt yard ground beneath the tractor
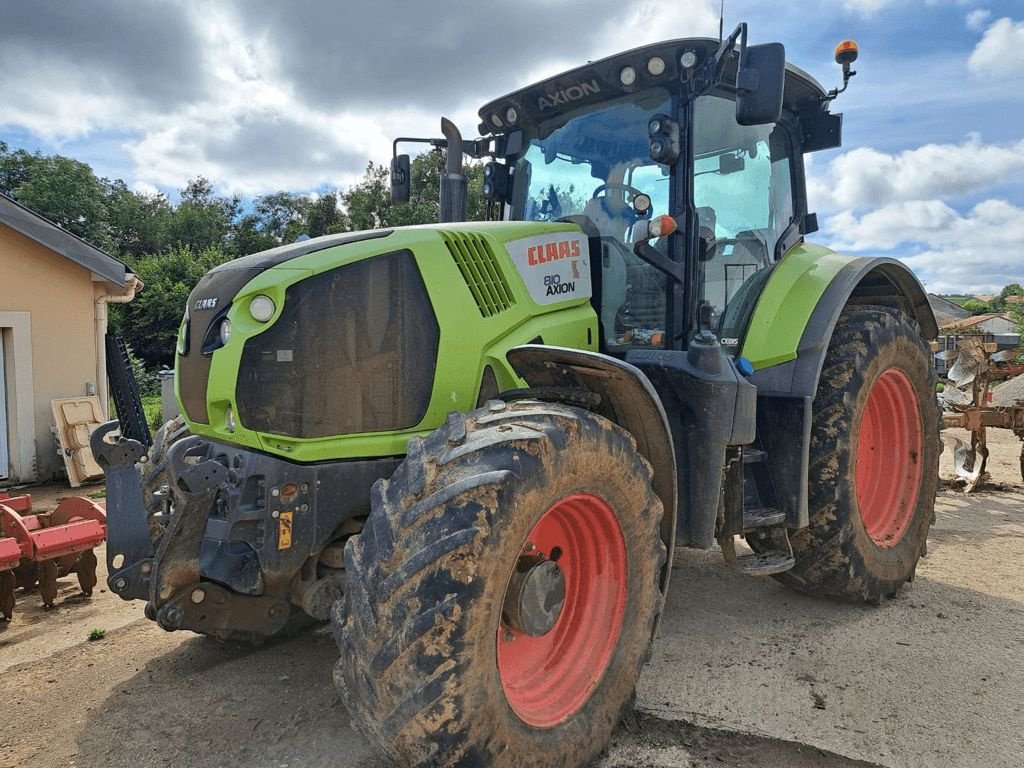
(746, 673)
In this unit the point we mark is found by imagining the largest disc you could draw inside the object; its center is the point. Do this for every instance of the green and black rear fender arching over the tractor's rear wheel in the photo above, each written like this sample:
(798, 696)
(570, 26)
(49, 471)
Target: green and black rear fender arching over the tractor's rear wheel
(789, 336)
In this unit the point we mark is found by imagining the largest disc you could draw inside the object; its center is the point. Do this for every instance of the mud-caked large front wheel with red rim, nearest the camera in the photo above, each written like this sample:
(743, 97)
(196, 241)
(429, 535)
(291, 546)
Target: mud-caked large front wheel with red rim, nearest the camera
(431, 670)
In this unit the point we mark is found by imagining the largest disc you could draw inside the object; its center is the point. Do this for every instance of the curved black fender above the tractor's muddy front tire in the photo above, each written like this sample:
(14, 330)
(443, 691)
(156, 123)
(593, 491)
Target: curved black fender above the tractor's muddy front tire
(627, 399)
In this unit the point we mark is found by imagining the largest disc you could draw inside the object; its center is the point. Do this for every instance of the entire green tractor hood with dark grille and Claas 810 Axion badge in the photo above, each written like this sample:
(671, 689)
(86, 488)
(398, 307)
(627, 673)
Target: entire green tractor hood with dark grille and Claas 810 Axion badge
(367, 334)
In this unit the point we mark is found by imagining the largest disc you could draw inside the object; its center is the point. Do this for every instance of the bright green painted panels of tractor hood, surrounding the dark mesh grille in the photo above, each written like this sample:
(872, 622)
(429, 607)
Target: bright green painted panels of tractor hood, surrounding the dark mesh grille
(468, 343)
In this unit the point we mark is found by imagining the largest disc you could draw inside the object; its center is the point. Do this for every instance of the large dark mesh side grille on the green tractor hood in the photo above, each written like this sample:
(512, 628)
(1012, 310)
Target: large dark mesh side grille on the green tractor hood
(354, 351)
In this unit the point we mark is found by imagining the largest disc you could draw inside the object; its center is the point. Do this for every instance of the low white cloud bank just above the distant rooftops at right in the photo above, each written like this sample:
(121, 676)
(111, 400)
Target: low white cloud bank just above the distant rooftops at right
(976, 252)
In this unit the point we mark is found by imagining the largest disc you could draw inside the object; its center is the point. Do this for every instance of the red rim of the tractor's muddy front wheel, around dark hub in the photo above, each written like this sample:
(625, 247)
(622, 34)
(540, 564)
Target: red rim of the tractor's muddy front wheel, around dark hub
(548, 679)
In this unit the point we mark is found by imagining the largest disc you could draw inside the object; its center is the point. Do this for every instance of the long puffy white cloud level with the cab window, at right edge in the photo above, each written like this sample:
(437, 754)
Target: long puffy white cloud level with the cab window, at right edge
(867, 178)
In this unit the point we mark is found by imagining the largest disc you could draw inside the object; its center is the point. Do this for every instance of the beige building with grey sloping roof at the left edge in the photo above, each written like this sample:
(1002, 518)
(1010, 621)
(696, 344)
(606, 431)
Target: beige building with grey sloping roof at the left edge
(53, 323)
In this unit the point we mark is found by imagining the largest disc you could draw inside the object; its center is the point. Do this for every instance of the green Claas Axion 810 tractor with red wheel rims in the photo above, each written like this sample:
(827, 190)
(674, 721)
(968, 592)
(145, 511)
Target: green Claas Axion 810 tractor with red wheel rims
(475, 447)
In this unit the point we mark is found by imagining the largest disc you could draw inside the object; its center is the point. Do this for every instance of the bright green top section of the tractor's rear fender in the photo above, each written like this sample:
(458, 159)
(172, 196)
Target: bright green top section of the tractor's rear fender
(785, 307)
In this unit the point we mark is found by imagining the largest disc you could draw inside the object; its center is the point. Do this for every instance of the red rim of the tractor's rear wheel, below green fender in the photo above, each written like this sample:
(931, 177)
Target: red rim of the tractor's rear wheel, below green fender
(889, 458)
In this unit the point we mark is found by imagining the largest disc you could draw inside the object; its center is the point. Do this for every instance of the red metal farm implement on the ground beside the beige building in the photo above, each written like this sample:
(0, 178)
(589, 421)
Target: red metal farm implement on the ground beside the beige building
(41, 548)
